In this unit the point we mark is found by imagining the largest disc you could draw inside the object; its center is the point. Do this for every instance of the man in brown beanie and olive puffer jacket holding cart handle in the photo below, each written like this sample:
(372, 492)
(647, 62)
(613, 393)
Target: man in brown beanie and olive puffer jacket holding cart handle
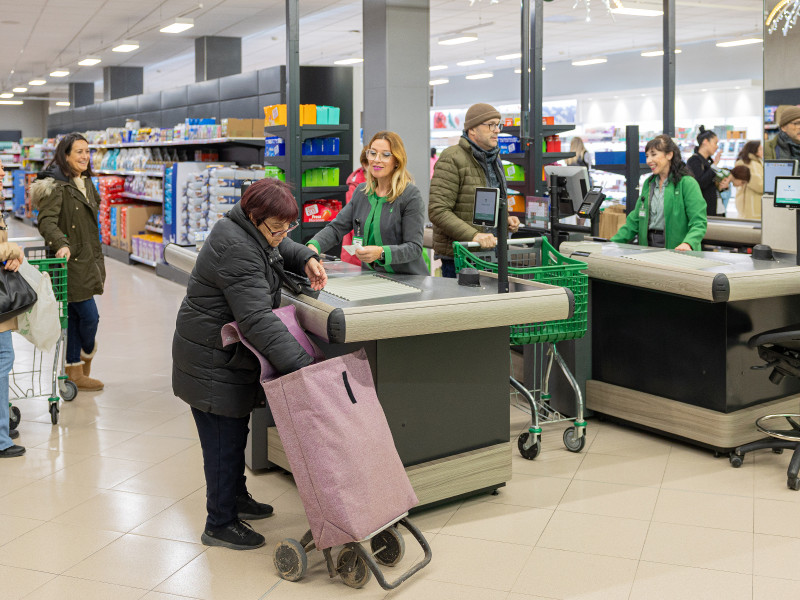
(473, 162)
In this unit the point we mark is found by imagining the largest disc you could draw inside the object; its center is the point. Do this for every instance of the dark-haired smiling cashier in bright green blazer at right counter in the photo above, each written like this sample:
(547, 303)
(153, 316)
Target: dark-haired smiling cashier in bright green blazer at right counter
(671, 211)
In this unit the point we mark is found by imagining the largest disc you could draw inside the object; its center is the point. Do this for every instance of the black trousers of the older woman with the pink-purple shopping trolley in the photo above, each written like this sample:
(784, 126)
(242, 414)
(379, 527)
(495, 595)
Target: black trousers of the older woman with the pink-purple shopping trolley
(223, 440)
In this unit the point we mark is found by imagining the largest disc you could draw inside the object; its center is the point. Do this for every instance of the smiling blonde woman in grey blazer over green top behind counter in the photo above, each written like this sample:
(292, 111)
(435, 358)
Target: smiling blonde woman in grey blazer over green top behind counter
(386, 213)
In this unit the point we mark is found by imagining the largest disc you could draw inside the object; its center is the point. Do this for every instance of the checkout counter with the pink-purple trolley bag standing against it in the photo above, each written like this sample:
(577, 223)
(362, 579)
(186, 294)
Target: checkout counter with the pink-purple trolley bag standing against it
(439, 358)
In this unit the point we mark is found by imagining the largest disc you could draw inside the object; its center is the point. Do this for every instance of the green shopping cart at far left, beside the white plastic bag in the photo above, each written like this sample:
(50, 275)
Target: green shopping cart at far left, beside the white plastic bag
(46, 375)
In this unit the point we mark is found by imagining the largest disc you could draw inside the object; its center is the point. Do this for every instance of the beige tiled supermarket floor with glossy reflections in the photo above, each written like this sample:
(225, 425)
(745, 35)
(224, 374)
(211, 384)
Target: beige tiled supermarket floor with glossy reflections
(110, 504)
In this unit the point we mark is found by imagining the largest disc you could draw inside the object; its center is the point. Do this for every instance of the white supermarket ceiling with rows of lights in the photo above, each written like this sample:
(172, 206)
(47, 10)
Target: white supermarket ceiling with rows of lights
(39, 36)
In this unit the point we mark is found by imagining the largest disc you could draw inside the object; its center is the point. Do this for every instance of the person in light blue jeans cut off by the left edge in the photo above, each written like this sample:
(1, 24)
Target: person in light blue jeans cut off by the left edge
(11, 255)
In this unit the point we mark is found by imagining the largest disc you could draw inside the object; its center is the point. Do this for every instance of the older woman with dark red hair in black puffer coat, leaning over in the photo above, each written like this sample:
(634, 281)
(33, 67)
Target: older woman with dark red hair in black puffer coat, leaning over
(237, 277)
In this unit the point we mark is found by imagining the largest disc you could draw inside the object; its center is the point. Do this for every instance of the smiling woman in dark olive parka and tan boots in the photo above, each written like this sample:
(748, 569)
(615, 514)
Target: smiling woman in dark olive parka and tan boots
(68, 205)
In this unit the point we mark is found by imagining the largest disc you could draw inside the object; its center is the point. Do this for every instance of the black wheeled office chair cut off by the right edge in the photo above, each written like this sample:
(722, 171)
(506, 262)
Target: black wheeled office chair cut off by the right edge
(780, 348)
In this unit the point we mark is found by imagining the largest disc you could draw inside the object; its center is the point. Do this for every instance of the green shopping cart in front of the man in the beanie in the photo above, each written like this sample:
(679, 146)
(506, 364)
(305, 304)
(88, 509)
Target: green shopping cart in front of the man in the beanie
(536, 259)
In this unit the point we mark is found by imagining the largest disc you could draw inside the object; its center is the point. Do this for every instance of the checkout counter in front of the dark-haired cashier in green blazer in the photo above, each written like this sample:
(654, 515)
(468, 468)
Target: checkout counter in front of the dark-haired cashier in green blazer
(669, 334)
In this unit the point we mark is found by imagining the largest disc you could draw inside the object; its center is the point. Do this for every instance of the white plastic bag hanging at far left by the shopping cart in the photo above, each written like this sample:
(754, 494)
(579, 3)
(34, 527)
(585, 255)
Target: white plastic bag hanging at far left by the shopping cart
(41, 324)
